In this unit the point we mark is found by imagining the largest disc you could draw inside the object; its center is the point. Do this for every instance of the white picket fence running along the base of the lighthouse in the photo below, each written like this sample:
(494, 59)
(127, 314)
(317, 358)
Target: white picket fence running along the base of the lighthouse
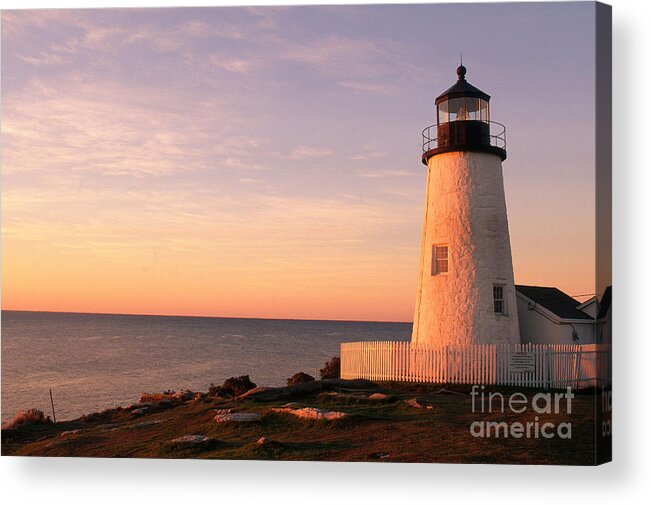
(528, 365)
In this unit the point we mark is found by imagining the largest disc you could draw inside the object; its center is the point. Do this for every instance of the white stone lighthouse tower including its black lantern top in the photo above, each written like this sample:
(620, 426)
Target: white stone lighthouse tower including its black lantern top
(466, 293)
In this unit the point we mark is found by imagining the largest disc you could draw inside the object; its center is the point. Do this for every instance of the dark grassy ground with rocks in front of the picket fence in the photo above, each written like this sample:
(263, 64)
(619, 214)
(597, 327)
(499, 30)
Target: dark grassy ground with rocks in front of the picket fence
(375, 430)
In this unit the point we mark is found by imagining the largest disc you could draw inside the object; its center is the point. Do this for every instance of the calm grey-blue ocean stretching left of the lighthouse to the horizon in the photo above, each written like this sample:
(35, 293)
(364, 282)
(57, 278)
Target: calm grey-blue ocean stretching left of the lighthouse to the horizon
(97, 361)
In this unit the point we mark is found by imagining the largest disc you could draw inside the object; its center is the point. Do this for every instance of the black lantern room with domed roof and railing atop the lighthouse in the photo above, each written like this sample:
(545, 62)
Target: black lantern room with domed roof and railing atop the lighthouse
(463, 122)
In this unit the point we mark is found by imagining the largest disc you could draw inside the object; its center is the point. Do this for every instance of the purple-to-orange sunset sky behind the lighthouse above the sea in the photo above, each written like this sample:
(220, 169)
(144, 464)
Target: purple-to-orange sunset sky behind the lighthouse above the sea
(265, 162)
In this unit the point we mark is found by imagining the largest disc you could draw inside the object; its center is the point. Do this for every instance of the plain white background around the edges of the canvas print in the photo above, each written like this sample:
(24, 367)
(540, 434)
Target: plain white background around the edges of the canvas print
(100, 481)
